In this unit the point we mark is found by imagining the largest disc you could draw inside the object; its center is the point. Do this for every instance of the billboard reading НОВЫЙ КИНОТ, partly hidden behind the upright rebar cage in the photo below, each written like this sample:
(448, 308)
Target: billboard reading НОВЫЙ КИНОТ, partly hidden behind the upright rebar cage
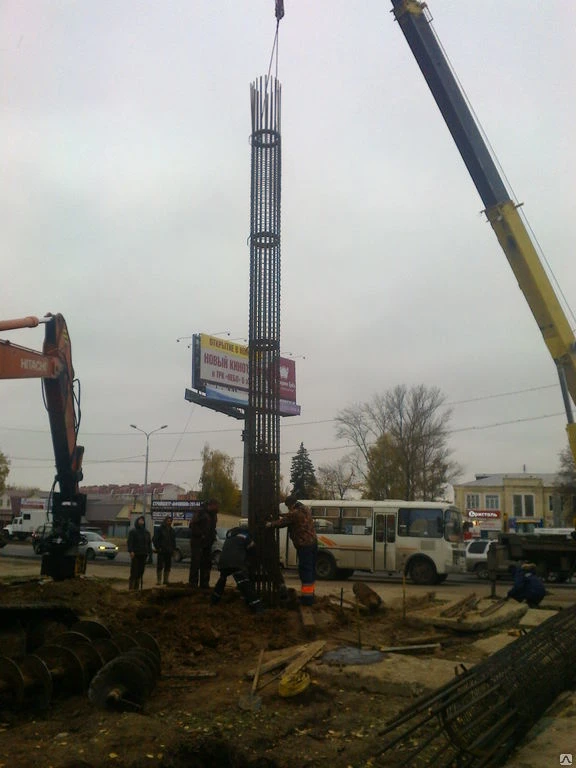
(220, 369)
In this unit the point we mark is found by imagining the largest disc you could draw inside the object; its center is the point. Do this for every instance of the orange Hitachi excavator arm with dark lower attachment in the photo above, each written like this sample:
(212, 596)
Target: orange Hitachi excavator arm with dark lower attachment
(54, 366)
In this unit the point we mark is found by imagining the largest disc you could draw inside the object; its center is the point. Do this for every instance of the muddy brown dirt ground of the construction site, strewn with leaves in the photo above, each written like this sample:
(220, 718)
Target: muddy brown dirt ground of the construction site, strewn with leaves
(191, 721)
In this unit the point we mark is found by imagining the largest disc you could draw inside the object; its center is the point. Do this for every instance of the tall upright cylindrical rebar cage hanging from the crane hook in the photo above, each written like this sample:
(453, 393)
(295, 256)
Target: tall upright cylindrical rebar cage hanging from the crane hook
(262, 431)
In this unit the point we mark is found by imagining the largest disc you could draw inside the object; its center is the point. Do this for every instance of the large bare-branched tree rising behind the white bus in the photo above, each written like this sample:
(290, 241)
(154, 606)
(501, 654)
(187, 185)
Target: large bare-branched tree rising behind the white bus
(401, 439)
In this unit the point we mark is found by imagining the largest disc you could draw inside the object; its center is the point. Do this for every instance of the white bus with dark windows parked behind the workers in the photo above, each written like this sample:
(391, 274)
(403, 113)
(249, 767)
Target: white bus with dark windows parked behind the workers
(422, 539)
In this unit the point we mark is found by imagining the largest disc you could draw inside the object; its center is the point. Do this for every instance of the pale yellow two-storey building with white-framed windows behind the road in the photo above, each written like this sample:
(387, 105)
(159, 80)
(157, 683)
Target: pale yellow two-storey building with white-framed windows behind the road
(513, 502)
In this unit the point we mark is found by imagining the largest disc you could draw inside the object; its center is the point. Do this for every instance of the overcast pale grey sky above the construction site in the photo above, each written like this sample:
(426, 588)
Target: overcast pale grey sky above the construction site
(125, 206)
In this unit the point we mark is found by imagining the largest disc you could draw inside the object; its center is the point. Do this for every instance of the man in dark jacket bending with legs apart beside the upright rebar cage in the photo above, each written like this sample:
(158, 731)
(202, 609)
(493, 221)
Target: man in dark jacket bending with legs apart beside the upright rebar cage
(234, 561)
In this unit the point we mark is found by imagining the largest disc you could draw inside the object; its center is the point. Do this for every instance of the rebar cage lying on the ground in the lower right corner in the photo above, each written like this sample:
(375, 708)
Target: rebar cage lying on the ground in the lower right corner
(479, 718)
